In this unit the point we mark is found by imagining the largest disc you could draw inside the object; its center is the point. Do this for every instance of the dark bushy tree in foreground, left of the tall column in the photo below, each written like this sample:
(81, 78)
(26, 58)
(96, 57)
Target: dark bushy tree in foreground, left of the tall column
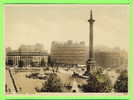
(53, 84)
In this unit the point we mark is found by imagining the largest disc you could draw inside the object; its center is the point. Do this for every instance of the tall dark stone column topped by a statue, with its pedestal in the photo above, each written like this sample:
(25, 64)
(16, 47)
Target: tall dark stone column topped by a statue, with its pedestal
(91, 60)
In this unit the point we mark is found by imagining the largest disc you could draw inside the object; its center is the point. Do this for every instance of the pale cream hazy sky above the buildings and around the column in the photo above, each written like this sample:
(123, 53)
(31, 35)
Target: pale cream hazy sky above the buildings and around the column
(44, 23)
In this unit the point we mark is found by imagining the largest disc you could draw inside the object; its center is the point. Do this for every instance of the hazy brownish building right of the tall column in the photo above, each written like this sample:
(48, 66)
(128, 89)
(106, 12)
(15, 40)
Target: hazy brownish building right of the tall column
(111, 59)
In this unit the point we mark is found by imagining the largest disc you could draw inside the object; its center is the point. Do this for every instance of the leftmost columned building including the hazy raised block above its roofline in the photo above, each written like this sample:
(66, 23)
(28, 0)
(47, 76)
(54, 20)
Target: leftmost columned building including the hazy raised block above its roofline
(28, 54)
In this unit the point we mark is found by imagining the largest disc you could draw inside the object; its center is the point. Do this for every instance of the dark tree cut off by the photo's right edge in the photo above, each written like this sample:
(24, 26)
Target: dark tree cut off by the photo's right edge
(121, 84)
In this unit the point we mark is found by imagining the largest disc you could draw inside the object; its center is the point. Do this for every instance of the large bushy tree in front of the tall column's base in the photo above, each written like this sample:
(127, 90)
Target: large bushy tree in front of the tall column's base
(97, 82)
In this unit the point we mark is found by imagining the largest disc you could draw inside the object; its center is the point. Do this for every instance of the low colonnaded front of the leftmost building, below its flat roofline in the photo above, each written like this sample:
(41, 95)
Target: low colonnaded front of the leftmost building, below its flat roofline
(28, 58)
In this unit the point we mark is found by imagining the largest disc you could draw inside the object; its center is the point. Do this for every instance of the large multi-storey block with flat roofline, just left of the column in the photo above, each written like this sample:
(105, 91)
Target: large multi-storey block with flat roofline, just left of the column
(69, 52)
